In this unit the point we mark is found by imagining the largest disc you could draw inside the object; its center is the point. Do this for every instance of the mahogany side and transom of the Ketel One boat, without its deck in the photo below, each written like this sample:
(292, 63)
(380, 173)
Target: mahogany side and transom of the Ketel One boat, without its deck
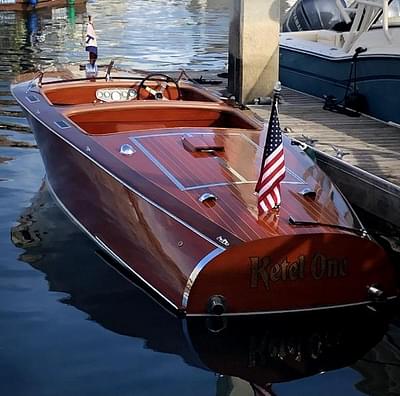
(285, 273)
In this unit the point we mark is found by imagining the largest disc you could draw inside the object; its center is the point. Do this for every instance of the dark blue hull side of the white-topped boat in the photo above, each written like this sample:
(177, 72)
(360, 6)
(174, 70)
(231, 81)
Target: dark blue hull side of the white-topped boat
(378, 79)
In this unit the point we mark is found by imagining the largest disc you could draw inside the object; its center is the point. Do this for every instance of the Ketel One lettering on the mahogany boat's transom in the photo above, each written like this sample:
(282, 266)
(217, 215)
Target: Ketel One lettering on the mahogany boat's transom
(319, 267)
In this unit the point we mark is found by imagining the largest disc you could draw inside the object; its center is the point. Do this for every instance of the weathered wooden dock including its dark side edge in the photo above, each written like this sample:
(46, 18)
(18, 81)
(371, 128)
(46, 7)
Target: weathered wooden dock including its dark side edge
(361, 154)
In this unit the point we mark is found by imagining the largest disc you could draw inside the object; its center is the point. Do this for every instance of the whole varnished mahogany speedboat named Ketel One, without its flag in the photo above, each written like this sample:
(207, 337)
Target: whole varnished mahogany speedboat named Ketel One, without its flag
(166, 188)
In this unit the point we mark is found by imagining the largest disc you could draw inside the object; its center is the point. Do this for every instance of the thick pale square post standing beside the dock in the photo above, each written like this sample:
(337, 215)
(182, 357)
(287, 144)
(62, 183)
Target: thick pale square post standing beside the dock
(253, 48)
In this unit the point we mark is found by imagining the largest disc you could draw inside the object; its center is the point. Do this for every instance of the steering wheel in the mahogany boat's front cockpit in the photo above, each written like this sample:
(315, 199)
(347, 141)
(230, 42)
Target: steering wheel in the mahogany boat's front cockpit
(156, 86)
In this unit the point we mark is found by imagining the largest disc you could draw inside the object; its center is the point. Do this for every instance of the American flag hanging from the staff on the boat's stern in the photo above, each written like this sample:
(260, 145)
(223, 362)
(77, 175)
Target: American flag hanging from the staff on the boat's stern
(272, 167)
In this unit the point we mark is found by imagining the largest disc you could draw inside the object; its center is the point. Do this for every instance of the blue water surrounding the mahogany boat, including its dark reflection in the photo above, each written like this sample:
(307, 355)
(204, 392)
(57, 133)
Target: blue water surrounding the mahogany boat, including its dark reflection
(71, 325)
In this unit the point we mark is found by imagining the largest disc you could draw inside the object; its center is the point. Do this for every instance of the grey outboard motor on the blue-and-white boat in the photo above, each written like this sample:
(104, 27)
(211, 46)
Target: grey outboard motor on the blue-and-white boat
(314, 15)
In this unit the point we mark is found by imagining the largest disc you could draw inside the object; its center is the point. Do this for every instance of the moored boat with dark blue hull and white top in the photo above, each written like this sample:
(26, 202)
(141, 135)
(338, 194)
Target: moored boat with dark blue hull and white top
(356, 69)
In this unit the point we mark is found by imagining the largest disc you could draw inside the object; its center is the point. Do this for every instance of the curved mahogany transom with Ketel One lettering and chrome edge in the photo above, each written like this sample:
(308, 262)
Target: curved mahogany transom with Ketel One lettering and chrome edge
(291, 273)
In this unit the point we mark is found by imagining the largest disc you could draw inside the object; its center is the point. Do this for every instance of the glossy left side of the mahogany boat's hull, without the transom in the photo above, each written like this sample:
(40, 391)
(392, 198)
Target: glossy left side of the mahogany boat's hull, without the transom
(135, 231)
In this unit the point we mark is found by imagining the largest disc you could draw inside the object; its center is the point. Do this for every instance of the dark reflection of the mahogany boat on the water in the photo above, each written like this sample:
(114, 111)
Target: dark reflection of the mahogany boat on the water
(248, 353)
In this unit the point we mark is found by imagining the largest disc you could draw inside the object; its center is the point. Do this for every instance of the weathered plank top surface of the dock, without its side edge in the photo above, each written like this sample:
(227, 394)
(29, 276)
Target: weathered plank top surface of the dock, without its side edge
(369, 144)
